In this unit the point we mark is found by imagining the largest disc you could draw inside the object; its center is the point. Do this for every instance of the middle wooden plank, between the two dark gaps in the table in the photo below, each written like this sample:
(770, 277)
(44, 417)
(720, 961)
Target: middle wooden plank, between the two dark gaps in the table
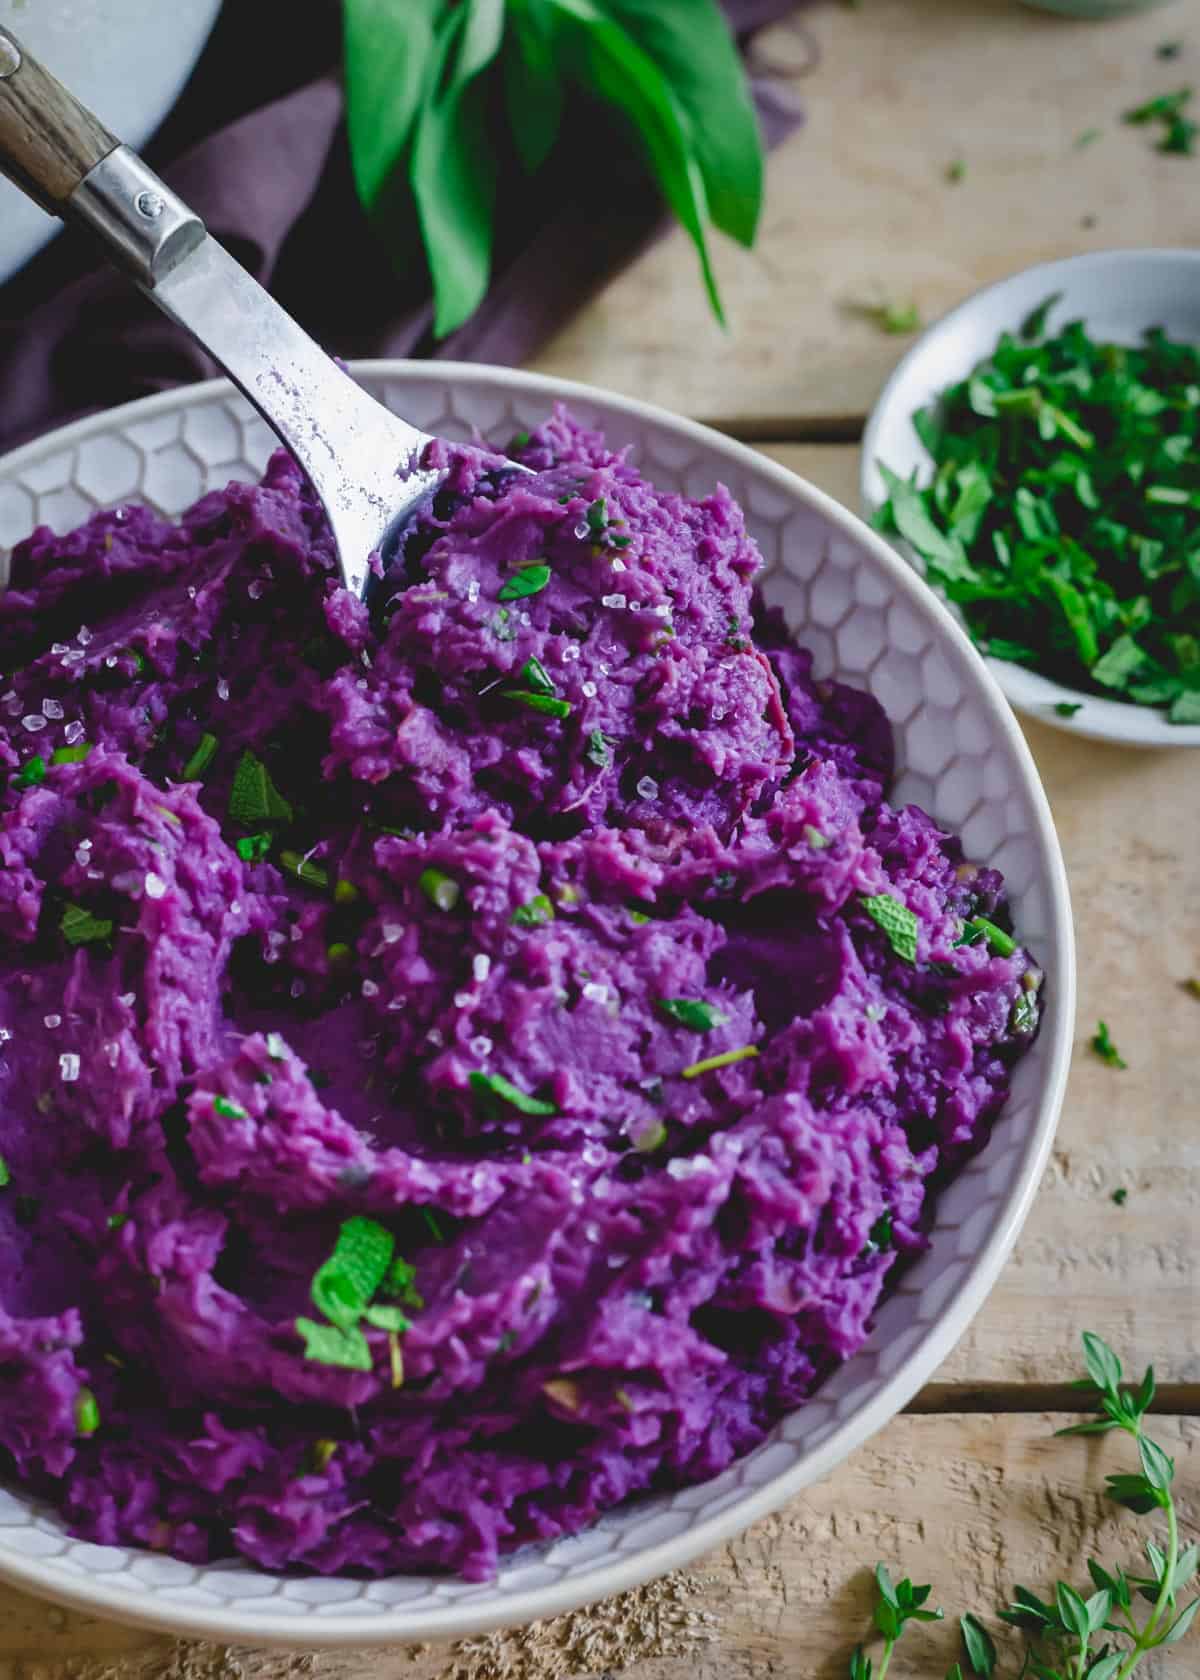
(1129, 821)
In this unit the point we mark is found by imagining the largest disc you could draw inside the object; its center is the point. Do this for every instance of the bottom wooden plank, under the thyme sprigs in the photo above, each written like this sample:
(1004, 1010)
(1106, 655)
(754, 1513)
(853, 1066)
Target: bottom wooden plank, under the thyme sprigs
(971, 1504)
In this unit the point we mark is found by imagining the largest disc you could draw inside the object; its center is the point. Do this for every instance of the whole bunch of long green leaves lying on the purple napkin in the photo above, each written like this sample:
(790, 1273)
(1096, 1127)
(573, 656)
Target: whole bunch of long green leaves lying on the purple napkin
(451, 108)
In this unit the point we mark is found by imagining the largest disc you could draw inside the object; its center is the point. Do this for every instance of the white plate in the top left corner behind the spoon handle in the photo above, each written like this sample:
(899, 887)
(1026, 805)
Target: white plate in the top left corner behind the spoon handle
(127, 60)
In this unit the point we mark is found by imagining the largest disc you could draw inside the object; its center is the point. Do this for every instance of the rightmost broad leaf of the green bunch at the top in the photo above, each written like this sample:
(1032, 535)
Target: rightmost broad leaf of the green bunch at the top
(692, 45)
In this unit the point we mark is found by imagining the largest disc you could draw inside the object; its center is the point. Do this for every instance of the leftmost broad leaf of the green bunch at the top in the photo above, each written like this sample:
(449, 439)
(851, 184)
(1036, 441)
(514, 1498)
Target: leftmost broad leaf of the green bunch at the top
(387, 50)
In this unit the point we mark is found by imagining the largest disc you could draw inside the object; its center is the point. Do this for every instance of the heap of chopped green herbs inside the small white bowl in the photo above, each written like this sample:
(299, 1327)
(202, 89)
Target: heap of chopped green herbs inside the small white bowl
(1063, 513)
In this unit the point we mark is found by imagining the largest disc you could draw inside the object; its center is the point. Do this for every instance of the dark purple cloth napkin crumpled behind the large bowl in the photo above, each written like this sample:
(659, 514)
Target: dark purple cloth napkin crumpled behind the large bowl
(256, 145)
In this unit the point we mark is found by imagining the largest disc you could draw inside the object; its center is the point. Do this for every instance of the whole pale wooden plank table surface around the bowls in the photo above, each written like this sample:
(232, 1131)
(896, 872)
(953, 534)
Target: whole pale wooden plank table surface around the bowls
(966, 1489)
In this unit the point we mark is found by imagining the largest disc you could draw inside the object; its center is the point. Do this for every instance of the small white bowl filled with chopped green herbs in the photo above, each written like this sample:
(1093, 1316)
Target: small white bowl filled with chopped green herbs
(1038, 454)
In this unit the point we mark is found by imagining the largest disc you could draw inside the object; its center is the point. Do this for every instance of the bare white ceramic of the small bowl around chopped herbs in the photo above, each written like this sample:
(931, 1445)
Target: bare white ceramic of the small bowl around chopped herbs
(1120, 295)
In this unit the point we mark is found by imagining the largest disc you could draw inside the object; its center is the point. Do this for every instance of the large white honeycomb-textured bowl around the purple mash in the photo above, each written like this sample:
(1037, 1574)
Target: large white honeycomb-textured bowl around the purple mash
(961, 753)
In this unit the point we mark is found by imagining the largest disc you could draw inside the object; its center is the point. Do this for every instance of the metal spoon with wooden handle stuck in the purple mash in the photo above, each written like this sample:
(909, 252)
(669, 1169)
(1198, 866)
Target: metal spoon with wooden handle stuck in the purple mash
(362, 459)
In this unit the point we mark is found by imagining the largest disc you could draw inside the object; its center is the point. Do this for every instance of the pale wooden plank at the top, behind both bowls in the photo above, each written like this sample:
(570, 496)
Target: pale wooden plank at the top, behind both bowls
(860, 207)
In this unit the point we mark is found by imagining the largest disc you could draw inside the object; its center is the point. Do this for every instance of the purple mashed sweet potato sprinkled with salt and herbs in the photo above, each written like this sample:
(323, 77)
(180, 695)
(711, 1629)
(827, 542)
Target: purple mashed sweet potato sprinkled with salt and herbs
(461, 1066)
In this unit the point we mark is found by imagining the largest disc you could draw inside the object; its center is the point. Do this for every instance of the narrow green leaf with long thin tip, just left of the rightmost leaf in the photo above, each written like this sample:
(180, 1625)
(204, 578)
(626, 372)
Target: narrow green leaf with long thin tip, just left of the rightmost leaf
(626, 76)
